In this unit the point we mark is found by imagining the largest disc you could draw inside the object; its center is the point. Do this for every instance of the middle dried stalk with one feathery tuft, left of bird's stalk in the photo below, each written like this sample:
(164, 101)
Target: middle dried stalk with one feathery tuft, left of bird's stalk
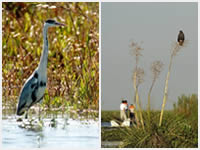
(156, 68)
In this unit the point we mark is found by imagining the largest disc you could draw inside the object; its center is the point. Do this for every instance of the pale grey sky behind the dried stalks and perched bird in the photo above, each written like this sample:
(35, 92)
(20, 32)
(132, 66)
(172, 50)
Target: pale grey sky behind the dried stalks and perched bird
(157, 26)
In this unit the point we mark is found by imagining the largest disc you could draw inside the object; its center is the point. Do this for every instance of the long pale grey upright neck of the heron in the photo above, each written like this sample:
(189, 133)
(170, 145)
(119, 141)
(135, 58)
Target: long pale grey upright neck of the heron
(44, 56)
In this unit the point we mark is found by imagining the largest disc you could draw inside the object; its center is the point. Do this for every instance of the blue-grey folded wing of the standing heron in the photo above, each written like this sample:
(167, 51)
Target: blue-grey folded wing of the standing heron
(25, 96)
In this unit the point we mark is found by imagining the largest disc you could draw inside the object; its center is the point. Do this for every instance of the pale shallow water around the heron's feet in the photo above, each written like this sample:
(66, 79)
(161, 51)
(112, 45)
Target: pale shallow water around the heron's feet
(73, 134)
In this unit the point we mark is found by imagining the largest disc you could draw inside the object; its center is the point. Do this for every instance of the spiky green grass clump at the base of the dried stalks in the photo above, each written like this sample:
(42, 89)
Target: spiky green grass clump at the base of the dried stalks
(176, 132)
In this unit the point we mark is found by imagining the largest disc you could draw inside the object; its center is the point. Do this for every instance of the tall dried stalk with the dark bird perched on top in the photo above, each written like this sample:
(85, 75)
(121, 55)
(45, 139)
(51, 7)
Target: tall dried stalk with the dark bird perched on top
(175, 50)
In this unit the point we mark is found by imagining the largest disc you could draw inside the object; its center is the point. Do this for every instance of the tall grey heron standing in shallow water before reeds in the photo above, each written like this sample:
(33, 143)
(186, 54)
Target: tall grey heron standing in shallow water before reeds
(33, 90)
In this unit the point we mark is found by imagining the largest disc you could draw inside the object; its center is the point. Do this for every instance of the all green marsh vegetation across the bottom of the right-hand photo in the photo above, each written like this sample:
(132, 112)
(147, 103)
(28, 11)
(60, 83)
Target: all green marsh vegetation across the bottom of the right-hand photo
(179, 129)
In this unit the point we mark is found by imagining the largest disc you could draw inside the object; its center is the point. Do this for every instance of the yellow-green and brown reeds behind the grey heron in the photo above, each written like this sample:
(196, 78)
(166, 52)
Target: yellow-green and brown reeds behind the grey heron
(73, 62)
